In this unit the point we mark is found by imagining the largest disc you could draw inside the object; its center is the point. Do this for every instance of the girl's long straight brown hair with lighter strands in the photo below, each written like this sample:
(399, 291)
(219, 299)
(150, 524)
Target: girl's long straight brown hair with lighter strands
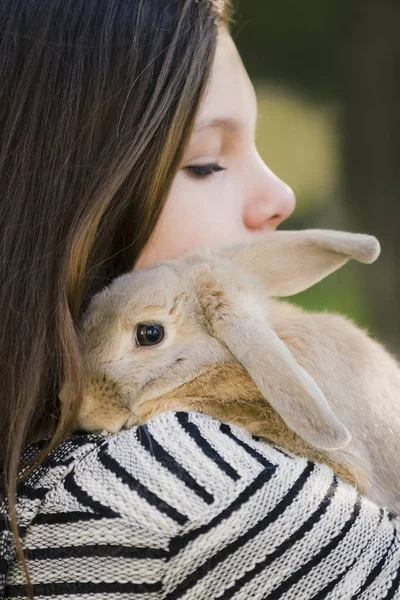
(97, 100)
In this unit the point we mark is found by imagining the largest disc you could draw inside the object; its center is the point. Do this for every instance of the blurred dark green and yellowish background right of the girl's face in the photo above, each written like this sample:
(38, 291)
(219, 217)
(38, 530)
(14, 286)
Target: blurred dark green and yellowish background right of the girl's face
(327, 76)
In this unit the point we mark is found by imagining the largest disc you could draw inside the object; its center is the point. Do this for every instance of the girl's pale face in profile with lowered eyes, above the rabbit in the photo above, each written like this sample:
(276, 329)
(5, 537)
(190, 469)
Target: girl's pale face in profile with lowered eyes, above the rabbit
(223, 193)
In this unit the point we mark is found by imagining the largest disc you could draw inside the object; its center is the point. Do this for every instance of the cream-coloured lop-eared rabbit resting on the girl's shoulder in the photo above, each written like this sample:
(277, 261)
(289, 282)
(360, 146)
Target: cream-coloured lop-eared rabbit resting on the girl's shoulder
(202, 333)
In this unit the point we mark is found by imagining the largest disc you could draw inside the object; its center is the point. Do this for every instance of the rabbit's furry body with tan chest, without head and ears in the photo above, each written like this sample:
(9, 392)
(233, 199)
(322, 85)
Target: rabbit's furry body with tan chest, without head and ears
(359, 379)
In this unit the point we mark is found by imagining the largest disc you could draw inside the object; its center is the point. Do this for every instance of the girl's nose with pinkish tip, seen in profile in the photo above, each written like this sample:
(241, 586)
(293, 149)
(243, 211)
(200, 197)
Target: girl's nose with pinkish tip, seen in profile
(270, 201)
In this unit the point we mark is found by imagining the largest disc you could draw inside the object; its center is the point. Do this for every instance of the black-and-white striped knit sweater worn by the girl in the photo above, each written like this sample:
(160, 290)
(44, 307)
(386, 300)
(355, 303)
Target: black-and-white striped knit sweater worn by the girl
(187, 508)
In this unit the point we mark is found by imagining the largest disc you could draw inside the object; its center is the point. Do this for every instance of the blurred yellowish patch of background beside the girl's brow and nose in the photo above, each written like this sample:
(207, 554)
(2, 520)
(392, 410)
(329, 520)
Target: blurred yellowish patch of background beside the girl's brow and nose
(298, 140)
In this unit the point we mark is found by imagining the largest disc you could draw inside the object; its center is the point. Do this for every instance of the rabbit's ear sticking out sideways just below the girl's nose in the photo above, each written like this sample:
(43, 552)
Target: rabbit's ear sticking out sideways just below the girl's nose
(292, 261)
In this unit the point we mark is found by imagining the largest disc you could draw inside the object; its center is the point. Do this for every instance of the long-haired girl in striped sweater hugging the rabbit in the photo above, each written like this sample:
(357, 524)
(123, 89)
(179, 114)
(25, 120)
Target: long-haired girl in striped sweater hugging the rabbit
(127, 137)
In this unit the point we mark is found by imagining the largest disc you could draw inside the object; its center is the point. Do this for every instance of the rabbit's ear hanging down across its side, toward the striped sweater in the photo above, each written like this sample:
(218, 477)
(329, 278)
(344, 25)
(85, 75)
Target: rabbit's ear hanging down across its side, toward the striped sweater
(290, 390)
